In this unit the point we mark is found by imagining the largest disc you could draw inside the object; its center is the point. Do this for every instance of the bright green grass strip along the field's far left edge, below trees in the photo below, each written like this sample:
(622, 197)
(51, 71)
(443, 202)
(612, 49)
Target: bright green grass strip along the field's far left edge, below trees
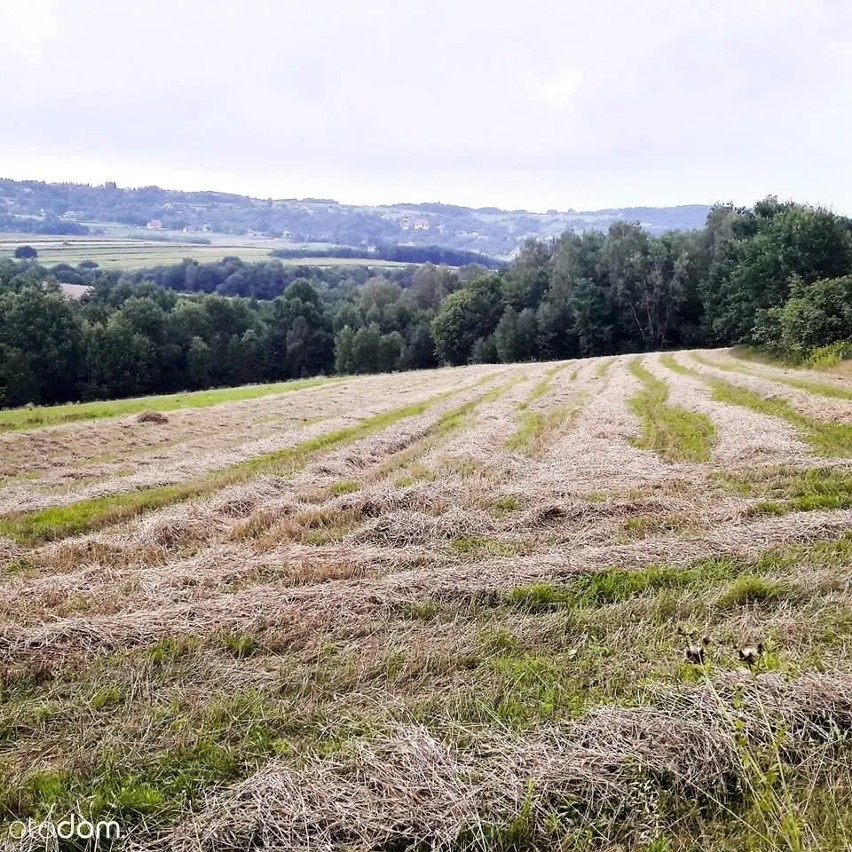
(38, 418)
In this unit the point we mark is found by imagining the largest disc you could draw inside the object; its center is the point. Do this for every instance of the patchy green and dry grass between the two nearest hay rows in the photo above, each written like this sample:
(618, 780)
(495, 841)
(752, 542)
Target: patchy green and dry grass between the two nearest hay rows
(144, 735)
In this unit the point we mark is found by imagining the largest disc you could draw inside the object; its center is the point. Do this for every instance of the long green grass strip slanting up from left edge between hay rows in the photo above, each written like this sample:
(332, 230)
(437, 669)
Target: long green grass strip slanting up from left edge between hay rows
(59, 522)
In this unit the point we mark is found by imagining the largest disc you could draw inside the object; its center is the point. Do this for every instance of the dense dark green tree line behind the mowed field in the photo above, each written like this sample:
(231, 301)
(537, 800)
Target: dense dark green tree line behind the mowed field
(776, 275)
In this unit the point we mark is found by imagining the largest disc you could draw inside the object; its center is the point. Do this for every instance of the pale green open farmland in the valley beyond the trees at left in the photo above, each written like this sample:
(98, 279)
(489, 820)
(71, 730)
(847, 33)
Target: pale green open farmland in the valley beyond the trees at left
(122, 252)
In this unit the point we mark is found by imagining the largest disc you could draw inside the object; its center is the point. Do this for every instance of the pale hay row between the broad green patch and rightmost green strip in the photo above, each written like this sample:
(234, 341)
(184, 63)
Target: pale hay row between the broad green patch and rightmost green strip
(743, 436)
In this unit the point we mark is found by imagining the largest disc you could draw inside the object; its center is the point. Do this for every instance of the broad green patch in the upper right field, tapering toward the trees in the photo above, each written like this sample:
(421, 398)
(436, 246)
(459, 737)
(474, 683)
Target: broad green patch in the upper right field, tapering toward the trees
(675, 434)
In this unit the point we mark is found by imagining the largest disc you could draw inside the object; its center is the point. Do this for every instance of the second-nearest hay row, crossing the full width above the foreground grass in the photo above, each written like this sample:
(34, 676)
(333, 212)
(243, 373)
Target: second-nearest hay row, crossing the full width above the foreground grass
(337, 605)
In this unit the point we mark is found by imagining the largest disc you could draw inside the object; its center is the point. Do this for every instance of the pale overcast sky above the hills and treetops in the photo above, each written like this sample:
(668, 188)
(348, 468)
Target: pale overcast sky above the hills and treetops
(537, 104)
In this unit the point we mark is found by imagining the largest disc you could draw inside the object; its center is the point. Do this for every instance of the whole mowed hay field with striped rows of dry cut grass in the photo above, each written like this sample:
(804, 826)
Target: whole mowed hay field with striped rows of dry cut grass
(441, 610)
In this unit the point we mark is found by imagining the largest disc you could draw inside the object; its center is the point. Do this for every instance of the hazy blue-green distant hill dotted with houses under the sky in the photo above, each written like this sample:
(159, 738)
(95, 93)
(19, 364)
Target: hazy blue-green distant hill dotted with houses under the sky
(37, 207)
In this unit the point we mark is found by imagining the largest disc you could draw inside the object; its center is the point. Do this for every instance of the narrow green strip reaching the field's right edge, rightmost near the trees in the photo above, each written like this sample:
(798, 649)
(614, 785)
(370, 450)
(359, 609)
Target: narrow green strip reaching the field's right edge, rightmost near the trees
(826, 439)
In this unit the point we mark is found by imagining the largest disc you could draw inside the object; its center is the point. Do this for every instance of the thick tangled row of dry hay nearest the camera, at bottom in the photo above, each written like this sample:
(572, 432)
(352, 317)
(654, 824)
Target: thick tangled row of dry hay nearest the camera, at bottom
(407, 787)
